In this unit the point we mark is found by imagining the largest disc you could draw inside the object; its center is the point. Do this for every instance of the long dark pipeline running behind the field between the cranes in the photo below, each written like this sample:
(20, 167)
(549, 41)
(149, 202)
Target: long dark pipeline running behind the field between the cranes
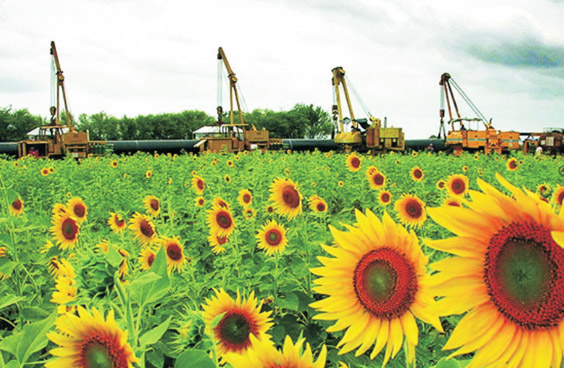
(179, 145)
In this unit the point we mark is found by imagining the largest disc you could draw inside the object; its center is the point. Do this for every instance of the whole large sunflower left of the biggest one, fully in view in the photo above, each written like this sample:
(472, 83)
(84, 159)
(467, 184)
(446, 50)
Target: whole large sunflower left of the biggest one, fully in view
(376, 286)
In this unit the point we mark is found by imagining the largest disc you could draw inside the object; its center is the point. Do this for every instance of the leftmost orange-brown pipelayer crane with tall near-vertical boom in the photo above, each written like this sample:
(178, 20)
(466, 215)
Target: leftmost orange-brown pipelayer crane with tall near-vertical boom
(57, 140)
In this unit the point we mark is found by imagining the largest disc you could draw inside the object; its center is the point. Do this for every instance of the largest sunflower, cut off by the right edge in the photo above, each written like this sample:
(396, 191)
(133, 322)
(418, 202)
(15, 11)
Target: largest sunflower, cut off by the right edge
(507, 275)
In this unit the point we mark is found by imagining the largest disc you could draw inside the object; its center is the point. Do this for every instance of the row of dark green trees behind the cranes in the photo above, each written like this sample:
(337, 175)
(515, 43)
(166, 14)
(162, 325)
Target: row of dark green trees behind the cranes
(302, 121)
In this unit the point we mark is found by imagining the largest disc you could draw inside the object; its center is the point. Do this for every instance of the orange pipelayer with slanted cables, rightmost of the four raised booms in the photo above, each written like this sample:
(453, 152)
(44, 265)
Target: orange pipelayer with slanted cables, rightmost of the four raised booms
(461, 138)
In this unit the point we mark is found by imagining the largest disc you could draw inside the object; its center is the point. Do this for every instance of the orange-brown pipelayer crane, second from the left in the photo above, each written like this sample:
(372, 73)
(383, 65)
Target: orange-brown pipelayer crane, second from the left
(232, 136)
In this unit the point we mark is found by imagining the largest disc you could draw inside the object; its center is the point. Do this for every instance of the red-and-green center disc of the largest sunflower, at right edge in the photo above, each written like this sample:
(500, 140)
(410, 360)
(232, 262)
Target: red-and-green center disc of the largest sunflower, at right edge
(524, 275)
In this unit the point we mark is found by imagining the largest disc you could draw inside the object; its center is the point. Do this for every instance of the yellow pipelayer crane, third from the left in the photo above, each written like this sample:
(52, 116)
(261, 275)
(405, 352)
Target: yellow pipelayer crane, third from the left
(363, 135)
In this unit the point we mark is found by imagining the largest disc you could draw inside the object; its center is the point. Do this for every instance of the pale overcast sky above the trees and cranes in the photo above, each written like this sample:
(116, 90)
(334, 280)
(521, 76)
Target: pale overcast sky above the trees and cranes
(139, 57)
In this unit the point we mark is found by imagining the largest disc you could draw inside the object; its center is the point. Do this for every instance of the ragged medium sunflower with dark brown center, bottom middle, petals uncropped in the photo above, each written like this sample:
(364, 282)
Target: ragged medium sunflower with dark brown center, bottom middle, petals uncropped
(241, 319)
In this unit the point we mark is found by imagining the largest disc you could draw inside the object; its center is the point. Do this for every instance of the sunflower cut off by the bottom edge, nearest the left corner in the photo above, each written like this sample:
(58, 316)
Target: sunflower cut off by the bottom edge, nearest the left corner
(89, 340)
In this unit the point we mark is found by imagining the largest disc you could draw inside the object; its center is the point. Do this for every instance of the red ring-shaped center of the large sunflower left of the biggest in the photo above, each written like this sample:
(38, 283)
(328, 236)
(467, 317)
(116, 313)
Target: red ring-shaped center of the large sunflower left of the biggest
(385, 283)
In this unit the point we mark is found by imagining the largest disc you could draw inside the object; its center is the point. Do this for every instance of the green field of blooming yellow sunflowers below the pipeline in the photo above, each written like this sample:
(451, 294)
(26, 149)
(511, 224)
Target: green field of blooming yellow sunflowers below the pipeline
(282, 259)
